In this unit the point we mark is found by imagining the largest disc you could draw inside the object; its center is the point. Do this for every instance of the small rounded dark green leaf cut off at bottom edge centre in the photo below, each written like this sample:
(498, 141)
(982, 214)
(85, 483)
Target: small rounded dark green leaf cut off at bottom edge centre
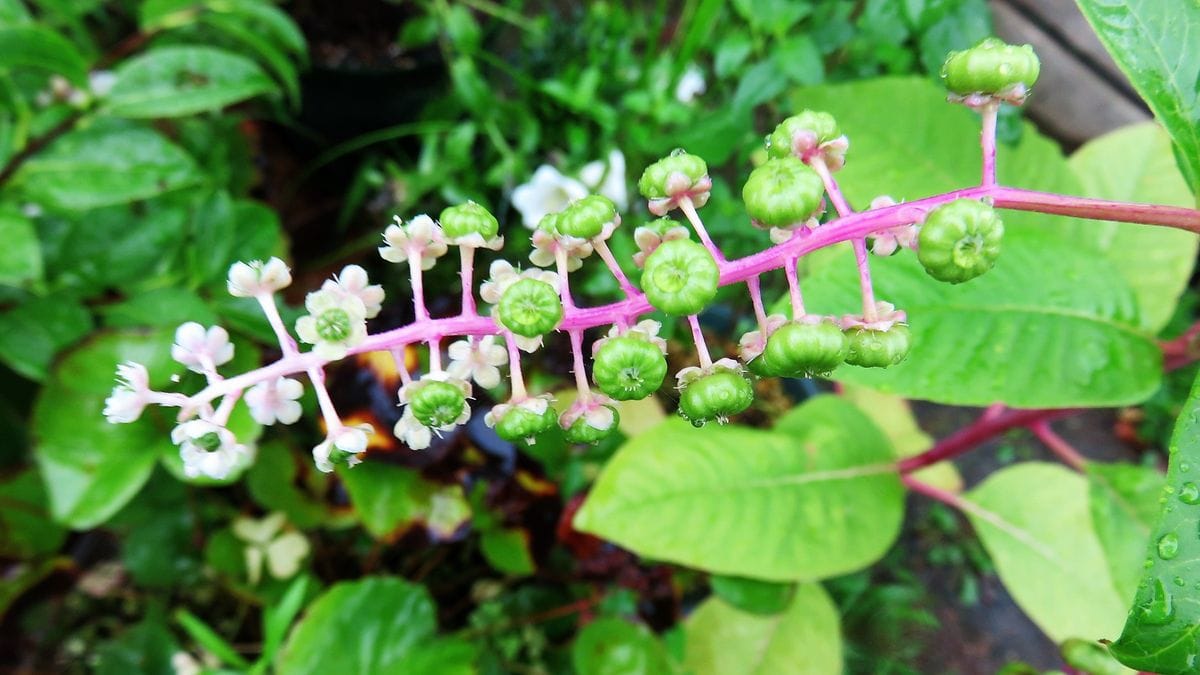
(614, 647)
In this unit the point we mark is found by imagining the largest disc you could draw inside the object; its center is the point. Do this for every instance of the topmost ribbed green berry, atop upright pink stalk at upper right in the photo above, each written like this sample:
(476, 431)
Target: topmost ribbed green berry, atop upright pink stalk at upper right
(991, 68)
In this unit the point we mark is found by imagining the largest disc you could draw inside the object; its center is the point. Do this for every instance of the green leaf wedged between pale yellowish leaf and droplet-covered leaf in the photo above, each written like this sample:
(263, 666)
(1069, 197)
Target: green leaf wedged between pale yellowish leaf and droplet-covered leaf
(1124, 503)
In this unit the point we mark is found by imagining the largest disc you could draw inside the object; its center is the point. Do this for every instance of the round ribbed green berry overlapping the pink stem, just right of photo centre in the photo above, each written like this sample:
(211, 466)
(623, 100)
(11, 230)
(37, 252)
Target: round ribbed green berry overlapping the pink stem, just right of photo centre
(681, 278)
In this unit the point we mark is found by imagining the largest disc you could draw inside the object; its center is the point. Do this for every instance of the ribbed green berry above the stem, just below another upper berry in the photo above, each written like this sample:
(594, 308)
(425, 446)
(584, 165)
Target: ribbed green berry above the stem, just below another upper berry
(783, 193)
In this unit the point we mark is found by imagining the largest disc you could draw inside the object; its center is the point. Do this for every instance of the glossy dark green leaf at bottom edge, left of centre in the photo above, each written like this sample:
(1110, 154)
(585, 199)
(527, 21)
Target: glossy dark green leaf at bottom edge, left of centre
(371, 628)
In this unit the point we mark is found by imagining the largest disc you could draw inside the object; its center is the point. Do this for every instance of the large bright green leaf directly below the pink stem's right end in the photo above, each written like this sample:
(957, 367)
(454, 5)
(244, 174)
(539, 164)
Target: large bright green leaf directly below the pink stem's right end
(1048, 327)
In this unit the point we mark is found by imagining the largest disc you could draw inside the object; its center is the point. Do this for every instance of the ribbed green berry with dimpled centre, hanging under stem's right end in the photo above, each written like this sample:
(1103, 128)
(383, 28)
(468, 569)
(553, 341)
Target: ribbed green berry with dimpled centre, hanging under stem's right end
(961, 241)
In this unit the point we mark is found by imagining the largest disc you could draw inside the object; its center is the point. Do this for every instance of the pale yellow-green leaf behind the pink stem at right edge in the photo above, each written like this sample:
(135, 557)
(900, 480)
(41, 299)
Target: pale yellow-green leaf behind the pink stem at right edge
(1135, 165)
